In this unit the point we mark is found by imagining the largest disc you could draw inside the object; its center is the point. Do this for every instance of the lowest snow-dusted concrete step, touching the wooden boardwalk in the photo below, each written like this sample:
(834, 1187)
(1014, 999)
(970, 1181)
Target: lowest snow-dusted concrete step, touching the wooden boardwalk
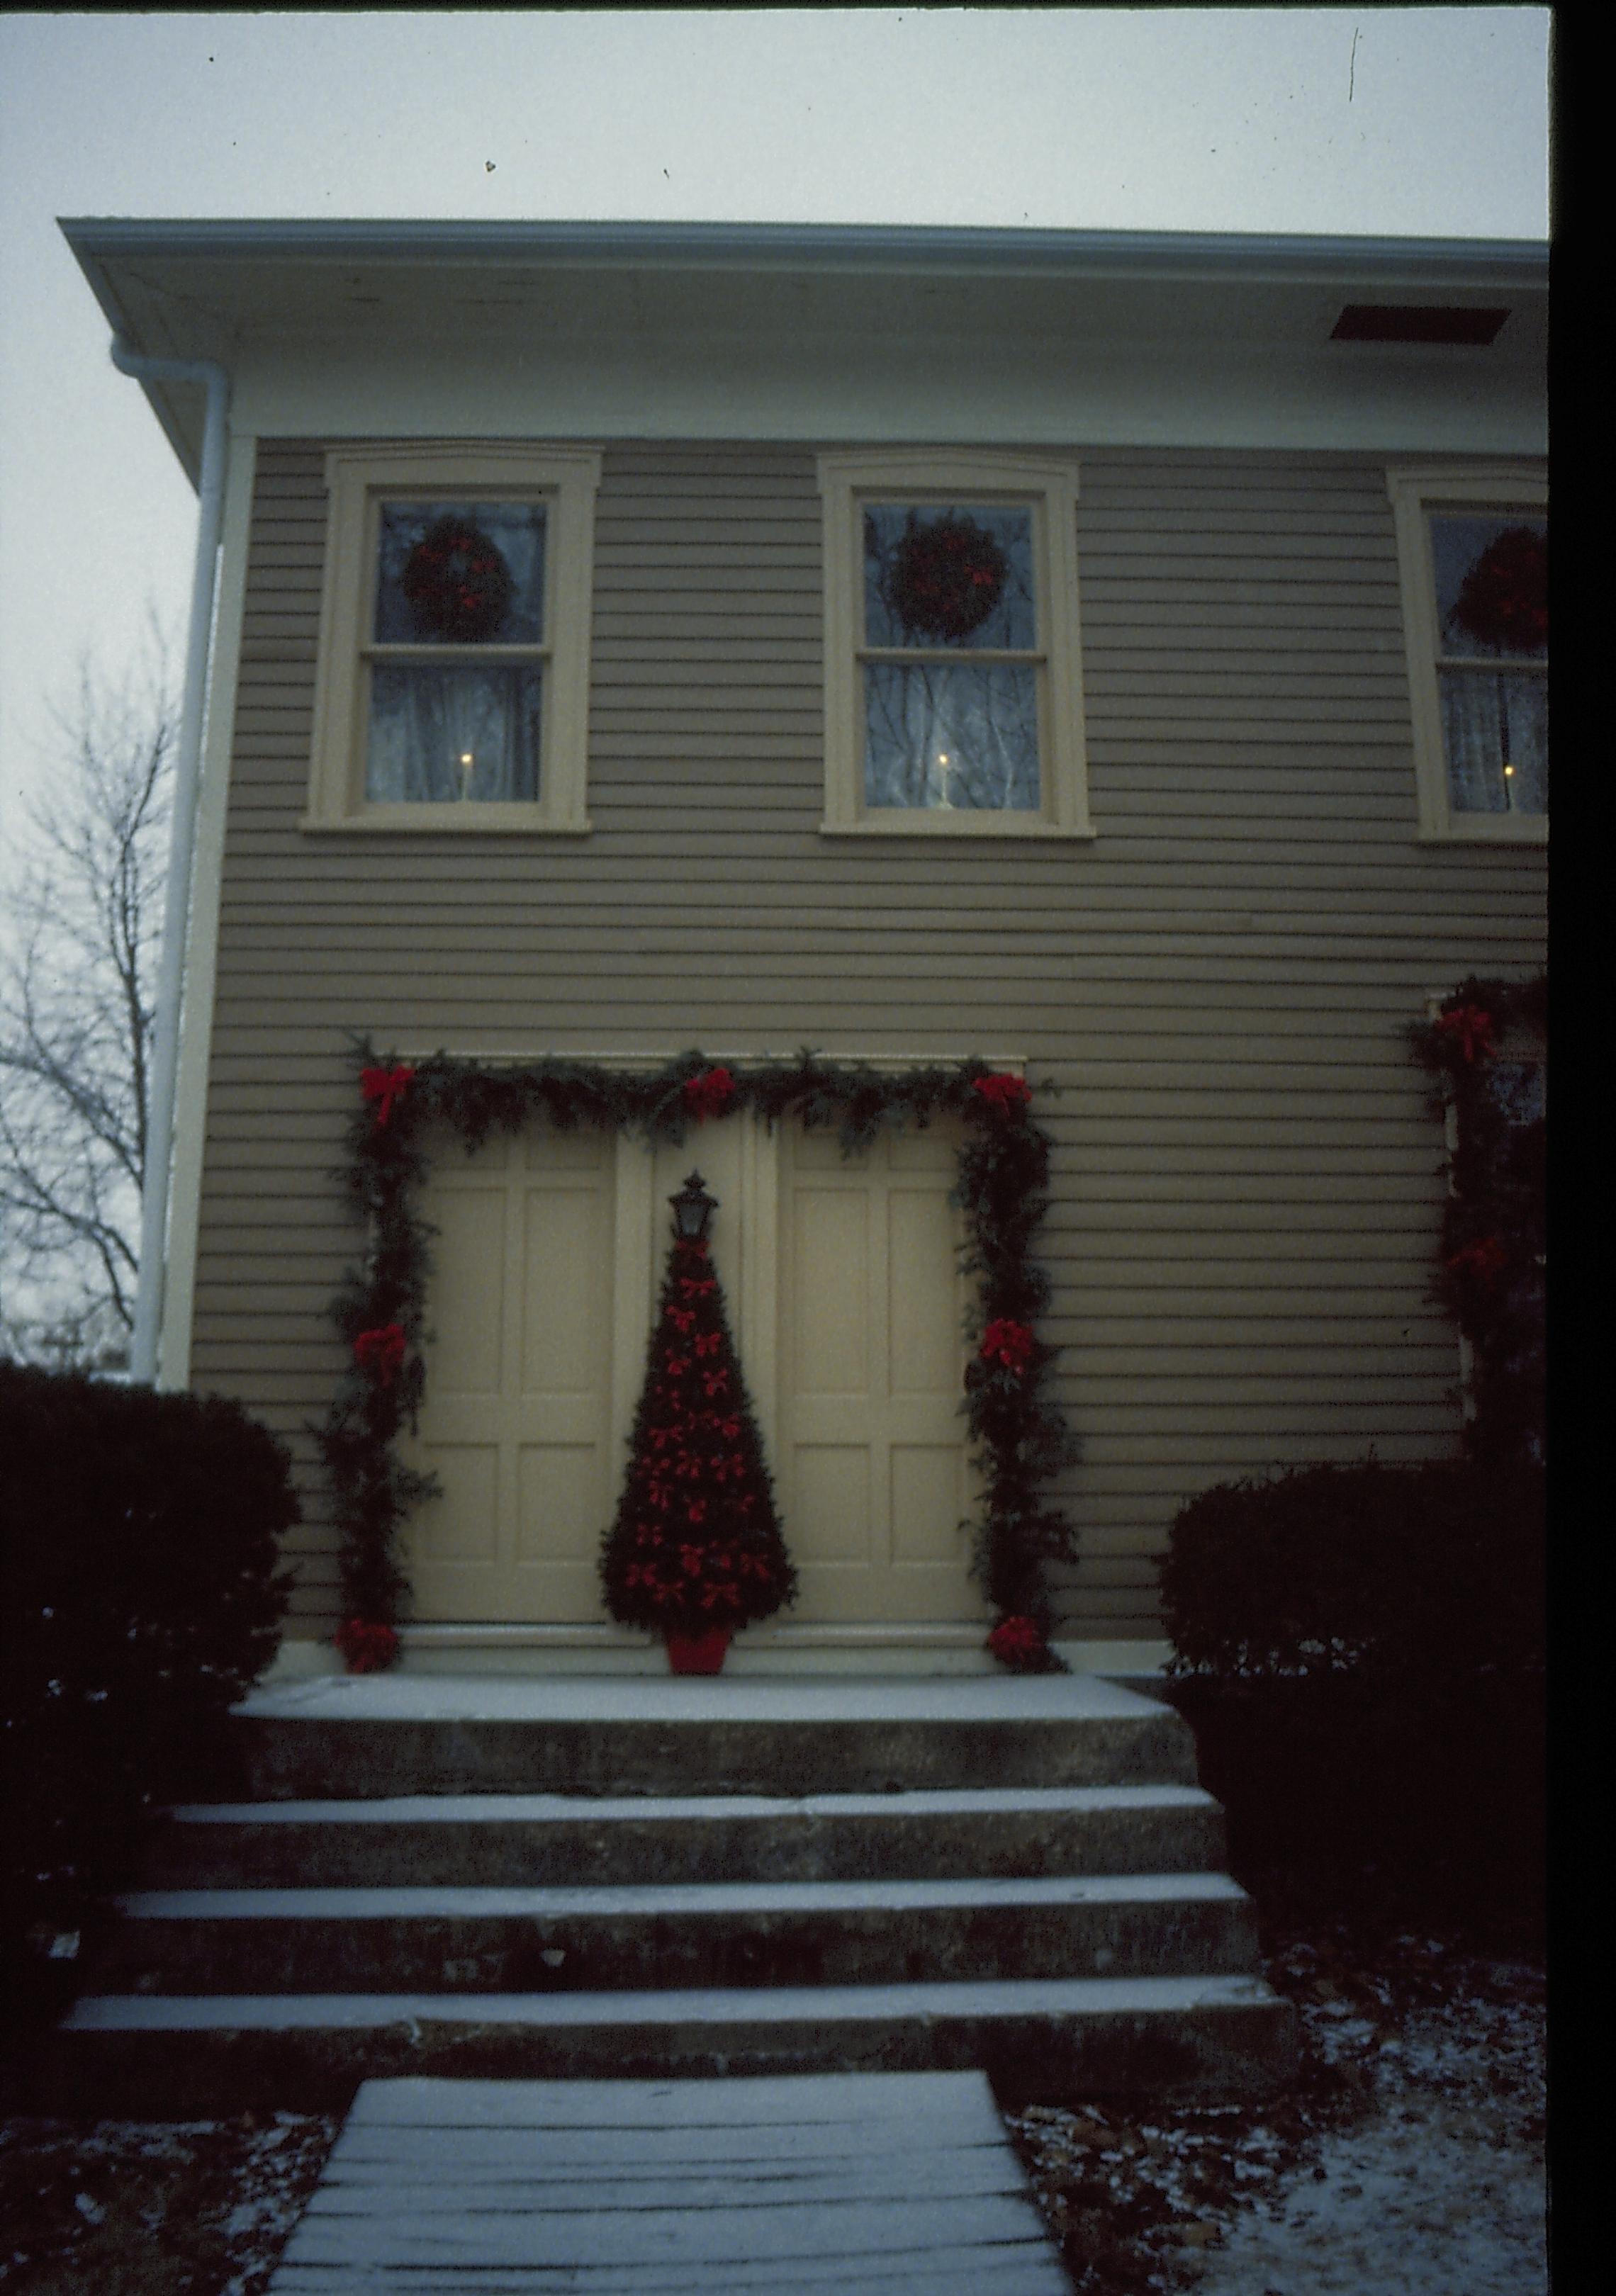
(1172, 2038)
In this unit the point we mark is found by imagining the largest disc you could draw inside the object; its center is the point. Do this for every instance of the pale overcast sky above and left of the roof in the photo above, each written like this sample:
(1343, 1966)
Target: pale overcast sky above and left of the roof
(1415, 123)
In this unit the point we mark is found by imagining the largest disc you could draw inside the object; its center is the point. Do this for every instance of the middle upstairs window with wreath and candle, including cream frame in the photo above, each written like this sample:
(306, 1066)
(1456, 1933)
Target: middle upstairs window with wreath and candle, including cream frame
(951, 639)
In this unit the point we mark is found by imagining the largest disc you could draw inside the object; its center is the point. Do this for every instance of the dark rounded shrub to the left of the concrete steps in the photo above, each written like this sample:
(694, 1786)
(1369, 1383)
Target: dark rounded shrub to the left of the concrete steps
(139, 1599)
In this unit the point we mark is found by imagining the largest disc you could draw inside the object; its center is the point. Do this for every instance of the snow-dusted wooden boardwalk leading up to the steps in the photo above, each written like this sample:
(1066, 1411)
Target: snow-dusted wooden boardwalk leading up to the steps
(828, 2185)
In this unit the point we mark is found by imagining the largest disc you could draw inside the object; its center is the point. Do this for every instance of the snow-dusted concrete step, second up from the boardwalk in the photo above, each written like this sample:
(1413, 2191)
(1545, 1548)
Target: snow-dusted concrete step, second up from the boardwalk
(676, 1937)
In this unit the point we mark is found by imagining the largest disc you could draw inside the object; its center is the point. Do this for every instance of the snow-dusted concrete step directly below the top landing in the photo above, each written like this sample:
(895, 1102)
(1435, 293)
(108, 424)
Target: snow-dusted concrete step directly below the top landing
(568, 1840)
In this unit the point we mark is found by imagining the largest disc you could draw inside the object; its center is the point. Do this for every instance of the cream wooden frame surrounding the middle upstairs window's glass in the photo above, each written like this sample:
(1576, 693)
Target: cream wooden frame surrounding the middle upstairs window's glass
(931, 476)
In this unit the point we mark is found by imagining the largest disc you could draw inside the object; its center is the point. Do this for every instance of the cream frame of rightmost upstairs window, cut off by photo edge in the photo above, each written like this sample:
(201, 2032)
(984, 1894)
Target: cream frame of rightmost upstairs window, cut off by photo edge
(1415, 495)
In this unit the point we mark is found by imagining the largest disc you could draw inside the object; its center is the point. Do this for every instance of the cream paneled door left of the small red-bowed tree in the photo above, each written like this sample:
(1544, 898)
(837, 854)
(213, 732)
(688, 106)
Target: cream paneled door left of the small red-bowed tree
(520, 1372)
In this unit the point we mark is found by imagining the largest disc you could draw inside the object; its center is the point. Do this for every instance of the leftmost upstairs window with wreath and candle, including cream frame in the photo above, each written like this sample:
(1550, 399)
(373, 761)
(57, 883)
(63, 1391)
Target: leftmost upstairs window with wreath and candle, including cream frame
(456, 639)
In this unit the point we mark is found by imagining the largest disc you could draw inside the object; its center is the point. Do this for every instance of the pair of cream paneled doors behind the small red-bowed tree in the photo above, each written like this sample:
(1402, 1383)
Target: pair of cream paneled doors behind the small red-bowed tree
(846, 1301)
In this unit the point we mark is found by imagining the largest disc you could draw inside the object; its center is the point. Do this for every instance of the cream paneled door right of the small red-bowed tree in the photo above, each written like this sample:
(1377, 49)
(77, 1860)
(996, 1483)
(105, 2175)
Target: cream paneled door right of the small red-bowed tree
(871, 1457)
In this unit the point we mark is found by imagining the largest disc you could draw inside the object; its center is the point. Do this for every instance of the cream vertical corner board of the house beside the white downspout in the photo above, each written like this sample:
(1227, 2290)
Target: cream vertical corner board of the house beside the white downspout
(196, 1016)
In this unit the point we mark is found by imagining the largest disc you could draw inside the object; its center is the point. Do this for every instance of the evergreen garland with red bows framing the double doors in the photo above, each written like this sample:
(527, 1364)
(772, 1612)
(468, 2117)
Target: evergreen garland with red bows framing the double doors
(1018, 1432)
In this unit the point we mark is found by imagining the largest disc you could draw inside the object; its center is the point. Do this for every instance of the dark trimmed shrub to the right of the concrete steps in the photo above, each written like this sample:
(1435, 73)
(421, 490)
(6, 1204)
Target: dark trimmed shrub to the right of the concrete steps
(1362, 1654)
